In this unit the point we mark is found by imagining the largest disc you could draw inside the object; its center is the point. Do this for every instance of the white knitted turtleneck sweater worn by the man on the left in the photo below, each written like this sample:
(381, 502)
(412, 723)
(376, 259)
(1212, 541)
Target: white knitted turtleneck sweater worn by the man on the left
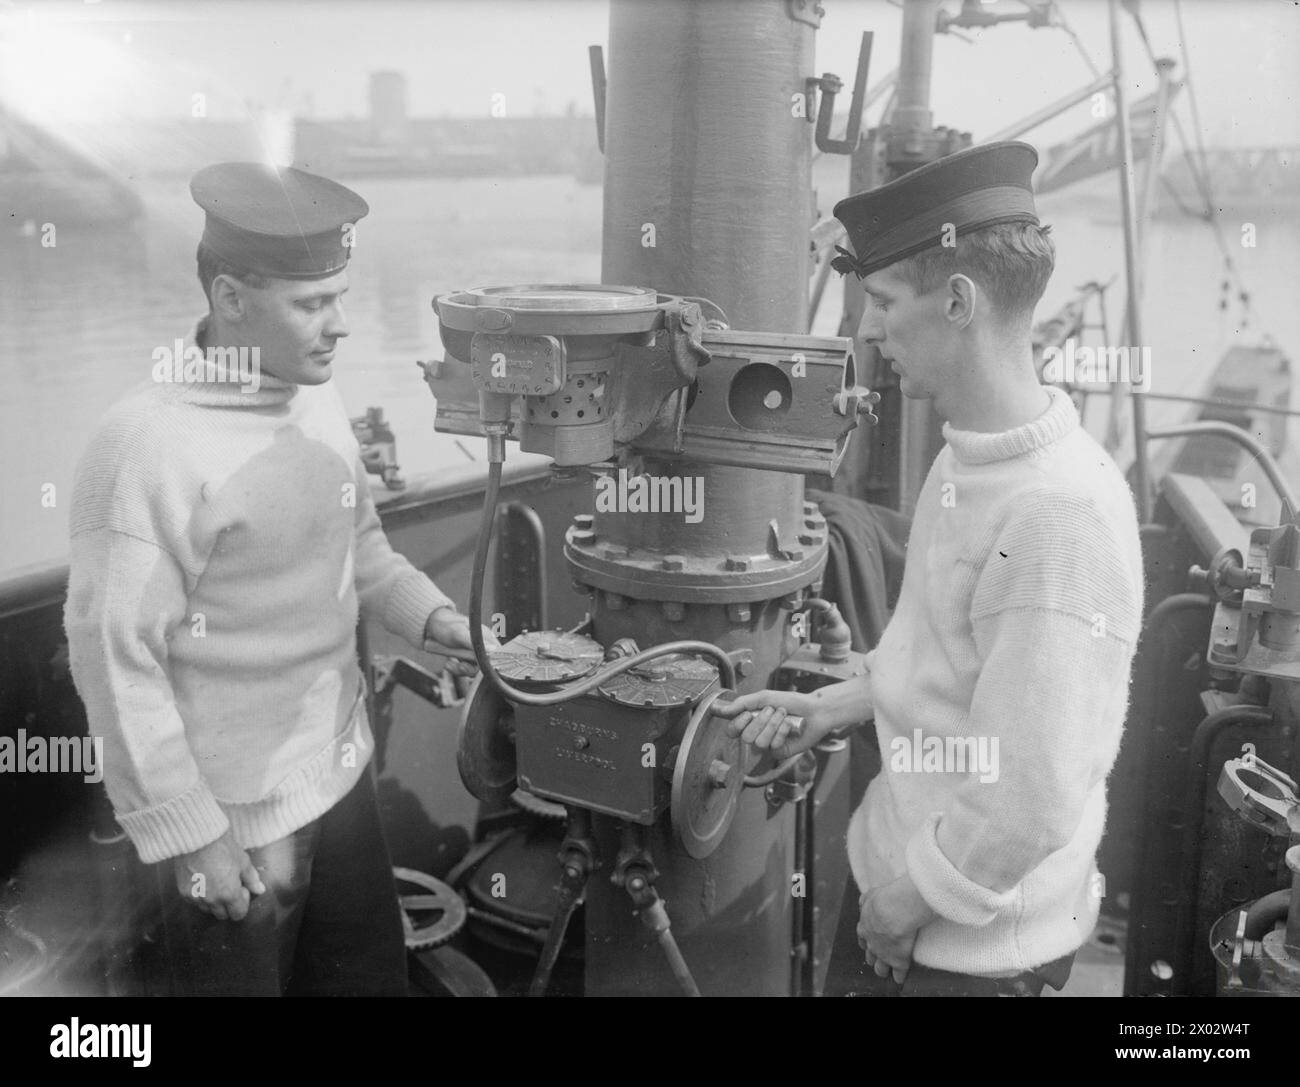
(223, 544)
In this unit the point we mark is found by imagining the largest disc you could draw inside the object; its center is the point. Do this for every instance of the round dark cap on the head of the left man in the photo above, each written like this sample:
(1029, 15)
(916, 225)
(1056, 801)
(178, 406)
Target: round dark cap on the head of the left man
(276, 220)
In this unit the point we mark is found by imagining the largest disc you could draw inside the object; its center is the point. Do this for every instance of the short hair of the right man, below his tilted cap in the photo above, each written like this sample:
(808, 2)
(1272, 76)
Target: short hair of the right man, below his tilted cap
(1011, 262)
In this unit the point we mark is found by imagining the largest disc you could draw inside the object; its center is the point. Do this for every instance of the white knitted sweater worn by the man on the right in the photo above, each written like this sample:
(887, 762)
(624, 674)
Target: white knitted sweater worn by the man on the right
(1017, 622)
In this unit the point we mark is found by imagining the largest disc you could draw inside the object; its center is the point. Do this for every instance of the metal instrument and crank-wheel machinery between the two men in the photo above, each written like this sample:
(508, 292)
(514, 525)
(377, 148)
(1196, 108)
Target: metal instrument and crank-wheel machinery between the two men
(614, 721)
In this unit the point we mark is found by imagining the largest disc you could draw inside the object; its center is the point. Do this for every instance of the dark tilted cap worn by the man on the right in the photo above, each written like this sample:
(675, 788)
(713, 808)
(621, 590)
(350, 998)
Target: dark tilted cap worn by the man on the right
(972, 189)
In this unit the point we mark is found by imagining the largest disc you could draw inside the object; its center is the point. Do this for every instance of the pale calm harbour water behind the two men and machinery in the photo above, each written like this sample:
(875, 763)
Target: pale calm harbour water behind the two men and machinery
(80, 321)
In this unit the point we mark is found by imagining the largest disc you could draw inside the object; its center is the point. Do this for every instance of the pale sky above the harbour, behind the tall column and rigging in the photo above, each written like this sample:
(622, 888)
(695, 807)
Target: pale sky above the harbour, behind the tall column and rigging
(119, 59)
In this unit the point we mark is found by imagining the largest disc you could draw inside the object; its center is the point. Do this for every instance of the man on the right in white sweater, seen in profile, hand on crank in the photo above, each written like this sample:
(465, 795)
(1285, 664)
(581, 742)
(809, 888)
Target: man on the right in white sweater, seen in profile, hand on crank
(1000, 686)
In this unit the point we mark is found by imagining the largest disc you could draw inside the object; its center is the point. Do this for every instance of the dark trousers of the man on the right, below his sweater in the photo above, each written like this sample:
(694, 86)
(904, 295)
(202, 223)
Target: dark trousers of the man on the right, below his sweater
(850, 975)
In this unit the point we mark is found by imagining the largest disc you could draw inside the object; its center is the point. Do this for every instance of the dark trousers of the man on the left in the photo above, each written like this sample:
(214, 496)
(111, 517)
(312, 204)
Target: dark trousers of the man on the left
(328, 924)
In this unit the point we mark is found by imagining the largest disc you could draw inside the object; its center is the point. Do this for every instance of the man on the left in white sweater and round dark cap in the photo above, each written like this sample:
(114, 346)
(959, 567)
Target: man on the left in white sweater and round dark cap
(224, 543)
